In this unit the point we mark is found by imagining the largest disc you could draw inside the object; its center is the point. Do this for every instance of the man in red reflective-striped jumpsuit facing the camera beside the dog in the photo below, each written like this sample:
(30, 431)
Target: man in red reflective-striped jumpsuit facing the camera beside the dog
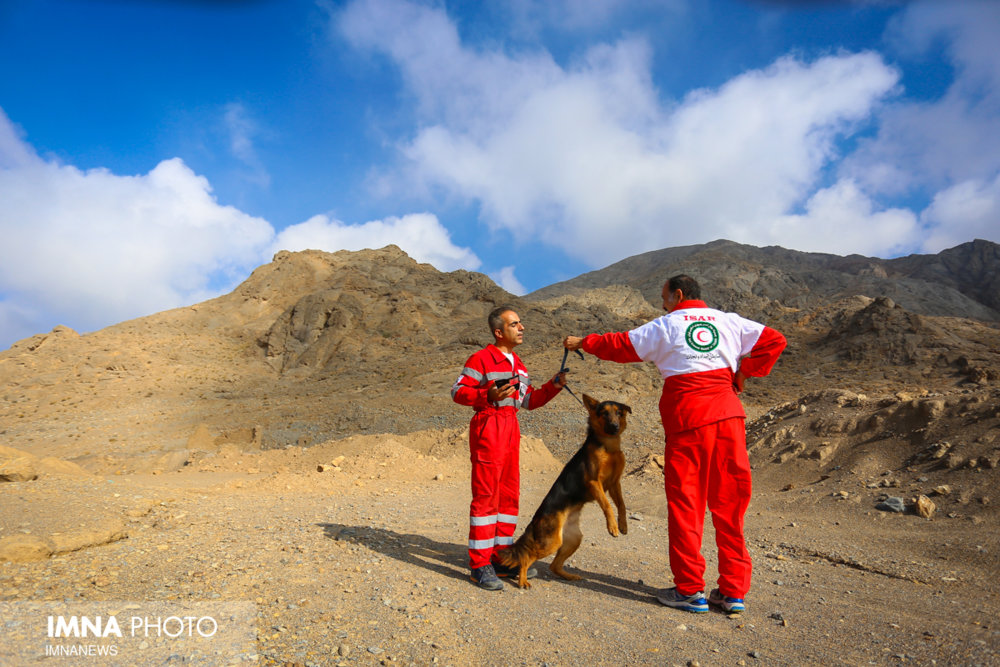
(496, 384)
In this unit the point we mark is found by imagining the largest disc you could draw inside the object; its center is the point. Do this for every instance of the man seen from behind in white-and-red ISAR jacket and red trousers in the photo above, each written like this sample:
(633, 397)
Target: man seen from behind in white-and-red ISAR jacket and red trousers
(704, 356)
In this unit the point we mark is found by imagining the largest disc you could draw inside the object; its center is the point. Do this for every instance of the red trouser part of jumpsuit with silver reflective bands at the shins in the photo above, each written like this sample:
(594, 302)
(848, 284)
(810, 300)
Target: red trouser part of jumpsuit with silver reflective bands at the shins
(494, 447)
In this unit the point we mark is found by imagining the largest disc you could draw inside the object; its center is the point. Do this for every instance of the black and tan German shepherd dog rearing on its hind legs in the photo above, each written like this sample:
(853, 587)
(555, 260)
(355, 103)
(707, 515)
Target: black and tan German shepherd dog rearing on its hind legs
(597, 467)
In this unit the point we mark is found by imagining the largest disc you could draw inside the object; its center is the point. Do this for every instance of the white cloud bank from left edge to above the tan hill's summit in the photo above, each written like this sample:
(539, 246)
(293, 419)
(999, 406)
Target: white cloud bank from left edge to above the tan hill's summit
(90, 248)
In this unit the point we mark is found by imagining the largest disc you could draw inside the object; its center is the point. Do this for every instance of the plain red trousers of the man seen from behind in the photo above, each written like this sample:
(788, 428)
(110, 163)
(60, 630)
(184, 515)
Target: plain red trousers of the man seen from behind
(708, 466)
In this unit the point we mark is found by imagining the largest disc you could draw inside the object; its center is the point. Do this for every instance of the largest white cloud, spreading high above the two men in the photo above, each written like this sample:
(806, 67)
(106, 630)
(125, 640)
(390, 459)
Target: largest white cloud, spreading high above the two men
(590, 158)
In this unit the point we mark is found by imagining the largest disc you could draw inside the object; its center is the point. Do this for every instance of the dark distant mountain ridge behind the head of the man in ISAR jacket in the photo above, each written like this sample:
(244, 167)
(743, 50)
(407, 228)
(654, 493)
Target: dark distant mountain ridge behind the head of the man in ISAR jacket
(963, 281)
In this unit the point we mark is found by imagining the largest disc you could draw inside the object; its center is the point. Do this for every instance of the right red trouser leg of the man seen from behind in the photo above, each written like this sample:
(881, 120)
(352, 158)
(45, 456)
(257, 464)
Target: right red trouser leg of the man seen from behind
(729, 490)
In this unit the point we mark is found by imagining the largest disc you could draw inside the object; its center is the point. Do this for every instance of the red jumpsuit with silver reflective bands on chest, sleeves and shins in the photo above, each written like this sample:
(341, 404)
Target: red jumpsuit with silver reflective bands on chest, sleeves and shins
(494, 447)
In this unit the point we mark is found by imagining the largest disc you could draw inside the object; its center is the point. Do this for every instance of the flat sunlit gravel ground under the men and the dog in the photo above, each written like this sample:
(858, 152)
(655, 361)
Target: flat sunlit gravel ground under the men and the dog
(368, 567)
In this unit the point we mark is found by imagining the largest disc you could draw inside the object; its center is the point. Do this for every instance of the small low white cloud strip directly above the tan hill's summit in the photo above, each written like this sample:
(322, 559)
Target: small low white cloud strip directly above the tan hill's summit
(421, 235)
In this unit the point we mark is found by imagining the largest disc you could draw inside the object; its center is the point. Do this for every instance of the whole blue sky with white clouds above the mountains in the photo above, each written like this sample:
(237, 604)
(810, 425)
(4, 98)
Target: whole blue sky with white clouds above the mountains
(153, 153)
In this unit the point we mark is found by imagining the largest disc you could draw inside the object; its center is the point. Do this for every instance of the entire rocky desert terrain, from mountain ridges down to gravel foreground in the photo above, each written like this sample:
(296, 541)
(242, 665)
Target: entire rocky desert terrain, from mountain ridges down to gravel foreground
(318, 469)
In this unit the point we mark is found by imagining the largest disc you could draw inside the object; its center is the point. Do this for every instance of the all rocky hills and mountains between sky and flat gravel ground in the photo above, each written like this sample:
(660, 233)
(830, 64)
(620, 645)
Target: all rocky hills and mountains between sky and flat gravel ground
(316, 345)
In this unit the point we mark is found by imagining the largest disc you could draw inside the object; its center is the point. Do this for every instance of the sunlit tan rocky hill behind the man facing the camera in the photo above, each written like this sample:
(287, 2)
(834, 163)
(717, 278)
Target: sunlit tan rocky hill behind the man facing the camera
(310, 346)
